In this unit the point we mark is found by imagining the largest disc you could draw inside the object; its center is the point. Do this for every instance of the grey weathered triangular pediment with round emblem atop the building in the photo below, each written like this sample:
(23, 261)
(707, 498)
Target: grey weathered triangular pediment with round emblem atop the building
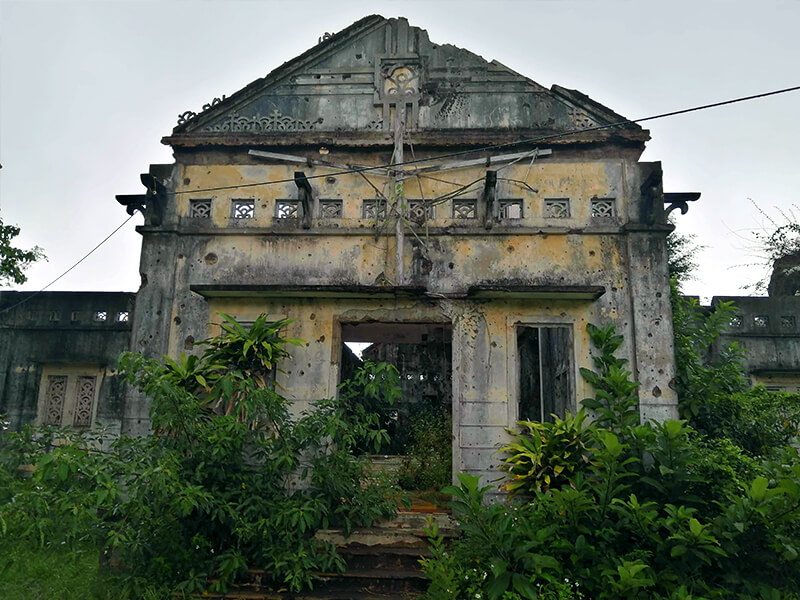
(378, 72)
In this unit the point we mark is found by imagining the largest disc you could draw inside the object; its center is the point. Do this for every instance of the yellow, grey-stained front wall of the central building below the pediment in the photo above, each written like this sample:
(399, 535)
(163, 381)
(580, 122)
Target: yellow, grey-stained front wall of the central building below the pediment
(535, 270)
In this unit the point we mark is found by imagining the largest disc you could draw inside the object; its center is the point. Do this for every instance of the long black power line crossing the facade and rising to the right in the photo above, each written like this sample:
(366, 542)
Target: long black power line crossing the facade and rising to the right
(504, 145)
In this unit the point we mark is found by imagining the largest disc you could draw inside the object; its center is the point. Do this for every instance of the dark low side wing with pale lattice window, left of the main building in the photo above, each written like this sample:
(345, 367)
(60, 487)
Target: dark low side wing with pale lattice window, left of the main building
(58, 354)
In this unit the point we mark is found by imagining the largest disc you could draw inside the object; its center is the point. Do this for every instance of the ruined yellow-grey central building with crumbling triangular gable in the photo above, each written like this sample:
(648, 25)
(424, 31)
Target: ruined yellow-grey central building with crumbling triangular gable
(385, 190)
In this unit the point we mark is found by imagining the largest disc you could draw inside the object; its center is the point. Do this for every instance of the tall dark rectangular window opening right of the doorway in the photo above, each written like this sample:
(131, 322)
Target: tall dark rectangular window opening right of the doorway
(544, 357)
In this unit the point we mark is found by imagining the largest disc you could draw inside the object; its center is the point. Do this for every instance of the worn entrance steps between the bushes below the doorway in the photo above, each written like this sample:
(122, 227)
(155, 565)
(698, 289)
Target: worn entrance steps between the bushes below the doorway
(382, 564)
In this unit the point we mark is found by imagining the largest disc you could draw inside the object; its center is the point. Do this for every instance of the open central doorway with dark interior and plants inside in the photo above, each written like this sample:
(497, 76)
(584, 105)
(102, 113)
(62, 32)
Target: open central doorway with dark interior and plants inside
(419, 422)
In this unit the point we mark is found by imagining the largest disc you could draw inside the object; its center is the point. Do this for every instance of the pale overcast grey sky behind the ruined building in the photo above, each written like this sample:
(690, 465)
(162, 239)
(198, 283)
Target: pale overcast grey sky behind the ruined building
(87, 90)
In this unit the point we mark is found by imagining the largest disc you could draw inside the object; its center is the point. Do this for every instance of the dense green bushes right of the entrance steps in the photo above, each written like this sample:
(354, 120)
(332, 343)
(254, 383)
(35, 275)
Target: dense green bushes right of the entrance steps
(616, 509)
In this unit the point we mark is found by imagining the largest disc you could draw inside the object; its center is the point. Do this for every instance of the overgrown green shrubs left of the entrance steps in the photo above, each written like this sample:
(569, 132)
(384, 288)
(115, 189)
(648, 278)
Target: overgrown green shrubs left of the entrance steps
(228, 480)
